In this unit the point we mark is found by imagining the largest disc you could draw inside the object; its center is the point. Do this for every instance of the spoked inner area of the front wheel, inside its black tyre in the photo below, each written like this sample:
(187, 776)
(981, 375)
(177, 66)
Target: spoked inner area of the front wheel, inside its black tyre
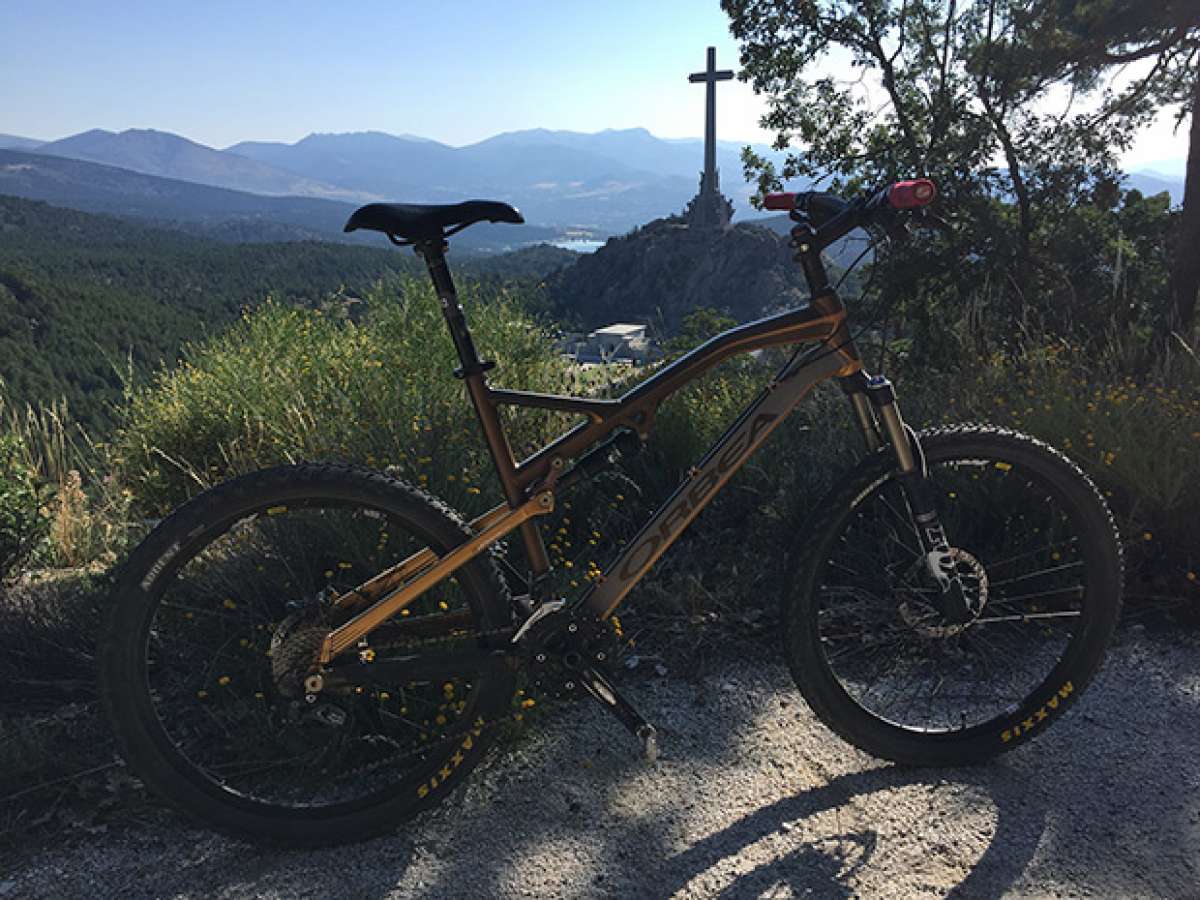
(887, 641)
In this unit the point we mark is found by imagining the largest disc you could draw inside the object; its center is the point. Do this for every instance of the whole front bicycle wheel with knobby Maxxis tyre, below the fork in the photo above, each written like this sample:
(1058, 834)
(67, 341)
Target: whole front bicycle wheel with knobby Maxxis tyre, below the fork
(1037, 548)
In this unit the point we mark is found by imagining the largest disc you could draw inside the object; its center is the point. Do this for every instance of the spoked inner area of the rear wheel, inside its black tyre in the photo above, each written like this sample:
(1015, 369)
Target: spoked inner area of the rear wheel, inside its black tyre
(219, 693)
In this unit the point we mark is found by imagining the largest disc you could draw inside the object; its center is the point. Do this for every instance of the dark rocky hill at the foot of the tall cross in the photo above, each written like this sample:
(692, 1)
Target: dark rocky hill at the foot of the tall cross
(661, 273)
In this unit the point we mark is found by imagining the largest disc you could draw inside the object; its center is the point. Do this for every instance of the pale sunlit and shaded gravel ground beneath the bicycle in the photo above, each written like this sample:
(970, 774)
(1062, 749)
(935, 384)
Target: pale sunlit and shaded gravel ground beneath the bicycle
(751, 799)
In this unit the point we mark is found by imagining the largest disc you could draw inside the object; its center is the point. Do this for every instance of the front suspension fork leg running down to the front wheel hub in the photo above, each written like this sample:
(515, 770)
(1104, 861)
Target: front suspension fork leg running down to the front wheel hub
(881, 397)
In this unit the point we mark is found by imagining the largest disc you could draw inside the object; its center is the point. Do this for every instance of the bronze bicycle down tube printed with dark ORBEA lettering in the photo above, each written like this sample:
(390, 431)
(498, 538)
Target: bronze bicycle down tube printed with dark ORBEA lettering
(710, 476)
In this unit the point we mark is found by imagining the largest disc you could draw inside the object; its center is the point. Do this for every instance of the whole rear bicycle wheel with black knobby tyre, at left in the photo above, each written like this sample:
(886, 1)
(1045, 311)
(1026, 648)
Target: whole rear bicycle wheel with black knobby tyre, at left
(219, 616)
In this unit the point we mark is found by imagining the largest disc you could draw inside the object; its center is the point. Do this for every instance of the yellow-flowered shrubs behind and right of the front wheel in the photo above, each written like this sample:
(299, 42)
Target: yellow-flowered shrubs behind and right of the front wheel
(1137, 436)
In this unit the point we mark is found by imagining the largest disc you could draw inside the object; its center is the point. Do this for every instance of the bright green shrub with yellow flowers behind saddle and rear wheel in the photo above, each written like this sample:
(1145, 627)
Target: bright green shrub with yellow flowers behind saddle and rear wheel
(289, 385)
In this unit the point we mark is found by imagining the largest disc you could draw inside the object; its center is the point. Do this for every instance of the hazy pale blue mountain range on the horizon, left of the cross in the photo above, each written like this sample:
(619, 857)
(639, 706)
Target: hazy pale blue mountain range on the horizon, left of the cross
(605, 183)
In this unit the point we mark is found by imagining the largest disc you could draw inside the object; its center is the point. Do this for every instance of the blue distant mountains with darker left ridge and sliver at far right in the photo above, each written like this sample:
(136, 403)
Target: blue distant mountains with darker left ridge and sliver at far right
(569, 183)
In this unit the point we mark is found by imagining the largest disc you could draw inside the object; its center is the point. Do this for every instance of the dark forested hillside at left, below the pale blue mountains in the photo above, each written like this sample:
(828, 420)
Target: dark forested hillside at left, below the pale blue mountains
(83, 295)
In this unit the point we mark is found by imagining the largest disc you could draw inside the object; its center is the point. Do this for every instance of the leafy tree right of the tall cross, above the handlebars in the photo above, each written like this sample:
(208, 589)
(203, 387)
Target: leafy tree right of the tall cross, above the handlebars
(961, 93)
